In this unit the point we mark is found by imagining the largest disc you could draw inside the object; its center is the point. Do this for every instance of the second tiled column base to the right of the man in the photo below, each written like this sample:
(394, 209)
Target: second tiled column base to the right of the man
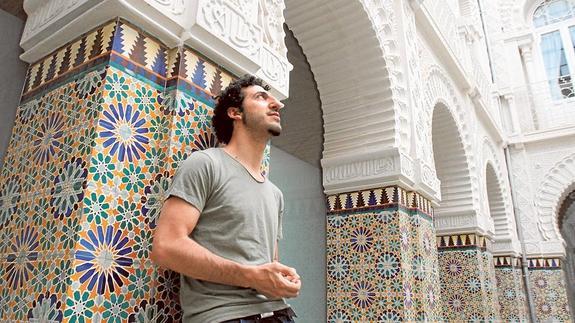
(468, 286)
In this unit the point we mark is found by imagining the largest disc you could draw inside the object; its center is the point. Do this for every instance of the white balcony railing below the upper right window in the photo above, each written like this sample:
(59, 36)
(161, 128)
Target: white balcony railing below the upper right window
(546, 105)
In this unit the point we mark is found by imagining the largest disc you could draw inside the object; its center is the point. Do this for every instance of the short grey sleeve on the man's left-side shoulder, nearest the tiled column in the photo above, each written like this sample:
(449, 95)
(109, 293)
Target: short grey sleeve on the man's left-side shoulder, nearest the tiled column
(193, 180)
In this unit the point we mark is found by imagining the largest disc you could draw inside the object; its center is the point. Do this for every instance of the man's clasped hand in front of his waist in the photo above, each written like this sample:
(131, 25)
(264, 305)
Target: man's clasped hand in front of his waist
(274, 280)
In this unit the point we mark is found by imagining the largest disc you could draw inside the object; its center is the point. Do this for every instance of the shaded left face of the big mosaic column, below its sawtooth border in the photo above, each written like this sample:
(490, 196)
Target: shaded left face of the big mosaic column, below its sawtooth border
(42, 193)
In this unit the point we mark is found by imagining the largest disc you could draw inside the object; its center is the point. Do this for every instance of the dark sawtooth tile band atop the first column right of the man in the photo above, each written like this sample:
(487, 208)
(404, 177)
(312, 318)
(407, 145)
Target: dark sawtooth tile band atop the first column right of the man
(377, 198)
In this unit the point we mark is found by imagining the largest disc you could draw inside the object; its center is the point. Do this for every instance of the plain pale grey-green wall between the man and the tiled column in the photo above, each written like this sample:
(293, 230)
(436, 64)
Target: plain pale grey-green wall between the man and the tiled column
(304, 227)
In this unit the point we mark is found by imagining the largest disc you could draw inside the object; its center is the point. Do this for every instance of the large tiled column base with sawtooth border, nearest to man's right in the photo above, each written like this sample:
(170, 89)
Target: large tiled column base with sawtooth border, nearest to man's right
(381, 257)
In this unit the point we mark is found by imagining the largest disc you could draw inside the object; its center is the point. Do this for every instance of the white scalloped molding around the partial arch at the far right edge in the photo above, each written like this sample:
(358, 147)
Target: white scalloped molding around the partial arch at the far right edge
(550, 193)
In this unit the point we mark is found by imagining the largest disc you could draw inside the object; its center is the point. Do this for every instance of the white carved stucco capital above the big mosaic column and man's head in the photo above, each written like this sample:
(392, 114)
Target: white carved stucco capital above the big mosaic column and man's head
(246, 38)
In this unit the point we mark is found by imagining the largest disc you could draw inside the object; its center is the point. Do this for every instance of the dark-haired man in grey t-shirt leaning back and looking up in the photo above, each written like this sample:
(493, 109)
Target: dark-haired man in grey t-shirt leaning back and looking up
(220, 224)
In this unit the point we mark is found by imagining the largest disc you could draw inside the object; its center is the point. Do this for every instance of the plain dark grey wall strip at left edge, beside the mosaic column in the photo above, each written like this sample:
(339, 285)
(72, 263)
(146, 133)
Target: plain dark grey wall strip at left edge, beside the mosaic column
(12, 76)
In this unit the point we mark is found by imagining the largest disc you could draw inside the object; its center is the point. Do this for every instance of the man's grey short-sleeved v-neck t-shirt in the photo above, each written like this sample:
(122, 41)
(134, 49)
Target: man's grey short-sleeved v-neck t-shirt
(240, 220)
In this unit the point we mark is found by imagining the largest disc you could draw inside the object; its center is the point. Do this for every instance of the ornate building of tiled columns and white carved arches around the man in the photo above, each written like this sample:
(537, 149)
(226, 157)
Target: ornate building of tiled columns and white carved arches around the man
(428, 159)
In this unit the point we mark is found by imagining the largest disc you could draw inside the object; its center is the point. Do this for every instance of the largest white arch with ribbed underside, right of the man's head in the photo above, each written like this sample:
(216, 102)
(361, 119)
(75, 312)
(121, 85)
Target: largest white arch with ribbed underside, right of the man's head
(359, 89)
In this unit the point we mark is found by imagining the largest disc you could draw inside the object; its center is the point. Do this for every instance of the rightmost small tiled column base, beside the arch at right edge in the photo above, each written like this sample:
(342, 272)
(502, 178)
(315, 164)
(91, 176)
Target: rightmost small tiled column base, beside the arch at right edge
(547, 281)
